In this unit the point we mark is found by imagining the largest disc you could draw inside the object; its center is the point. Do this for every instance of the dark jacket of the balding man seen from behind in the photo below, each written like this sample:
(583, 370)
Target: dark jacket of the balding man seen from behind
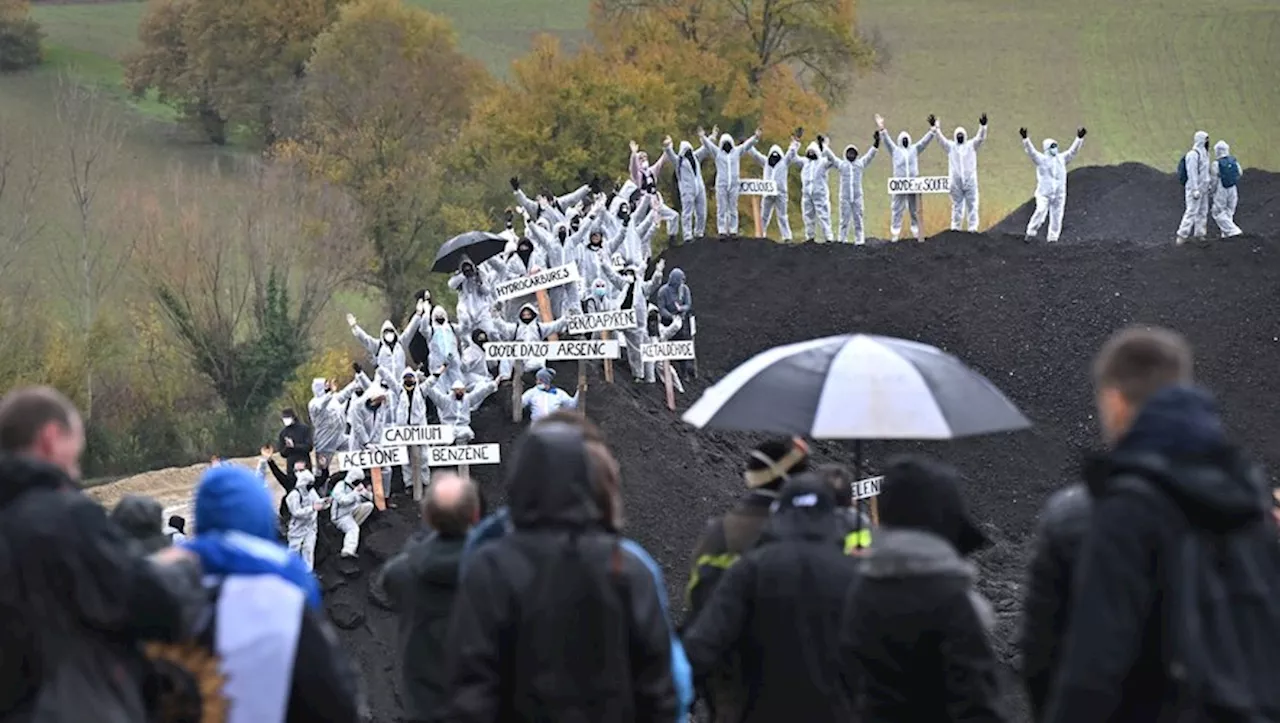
(423, 583)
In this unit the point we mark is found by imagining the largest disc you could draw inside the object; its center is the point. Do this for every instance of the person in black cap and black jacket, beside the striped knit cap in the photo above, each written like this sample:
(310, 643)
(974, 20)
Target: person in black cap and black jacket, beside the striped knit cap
(780, 607)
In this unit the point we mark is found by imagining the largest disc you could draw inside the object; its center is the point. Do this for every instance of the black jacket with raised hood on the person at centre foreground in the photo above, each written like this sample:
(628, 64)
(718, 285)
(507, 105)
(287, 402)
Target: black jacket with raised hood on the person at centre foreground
(556, 621)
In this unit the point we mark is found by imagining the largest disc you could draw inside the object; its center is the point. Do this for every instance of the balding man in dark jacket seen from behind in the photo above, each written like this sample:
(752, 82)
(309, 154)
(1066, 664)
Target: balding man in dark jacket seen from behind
(422, 583)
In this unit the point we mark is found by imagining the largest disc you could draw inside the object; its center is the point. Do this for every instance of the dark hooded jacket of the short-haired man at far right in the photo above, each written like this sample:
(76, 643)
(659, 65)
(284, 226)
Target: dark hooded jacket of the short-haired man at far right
(1113, 667)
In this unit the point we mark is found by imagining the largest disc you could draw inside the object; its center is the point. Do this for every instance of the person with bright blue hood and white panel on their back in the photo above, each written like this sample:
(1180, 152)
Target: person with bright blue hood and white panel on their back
(281, 658)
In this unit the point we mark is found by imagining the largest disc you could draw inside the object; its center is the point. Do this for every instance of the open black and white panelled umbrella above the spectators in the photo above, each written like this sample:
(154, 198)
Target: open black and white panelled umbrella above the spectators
(857, 387)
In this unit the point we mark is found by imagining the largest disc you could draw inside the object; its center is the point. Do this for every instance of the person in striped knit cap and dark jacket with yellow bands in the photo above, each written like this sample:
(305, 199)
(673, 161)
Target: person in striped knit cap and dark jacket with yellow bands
(728, 538)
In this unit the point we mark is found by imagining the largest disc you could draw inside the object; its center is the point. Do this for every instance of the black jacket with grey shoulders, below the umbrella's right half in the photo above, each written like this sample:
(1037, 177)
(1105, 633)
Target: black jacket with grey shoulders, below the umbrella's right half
(917, 634)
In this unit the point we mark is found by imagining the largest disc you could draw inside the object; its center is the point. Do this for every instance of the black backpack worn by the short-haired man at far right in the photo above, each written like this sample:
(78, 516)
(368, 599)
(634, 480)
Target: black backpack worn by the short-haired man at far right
(1222, 628)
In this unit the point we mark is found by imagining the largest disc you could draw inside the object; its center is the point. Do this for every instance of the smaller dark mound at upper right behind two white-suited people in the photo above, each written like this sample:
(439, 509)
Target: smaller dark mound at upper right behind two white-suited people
(1139, 204)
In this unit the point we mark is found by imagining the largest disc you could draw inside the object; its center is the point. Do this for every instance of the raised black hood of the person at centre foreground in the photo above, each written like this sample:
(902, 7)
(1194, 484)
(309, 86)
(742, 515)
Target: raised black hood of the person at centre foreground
(548, 481)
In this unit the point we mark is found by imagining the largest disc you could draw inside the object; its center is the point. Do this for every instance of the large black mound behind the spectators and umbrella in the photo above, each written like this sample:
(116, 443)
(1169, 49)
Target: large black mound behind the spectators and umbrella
(1030, 317)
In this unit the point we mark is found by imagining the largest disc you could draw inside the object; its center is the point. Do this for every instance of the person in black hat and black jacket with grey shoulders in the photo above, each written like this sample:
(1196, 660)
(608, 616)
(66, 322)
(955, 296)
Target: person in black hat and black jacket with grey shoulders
(916, 629)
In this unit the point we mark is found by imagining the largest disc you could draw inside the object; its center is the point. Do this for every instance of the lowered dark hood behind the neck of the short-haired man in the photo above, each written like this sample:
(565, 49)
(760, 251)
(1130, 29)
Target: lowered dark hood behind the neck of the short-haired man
(1180, 443)
